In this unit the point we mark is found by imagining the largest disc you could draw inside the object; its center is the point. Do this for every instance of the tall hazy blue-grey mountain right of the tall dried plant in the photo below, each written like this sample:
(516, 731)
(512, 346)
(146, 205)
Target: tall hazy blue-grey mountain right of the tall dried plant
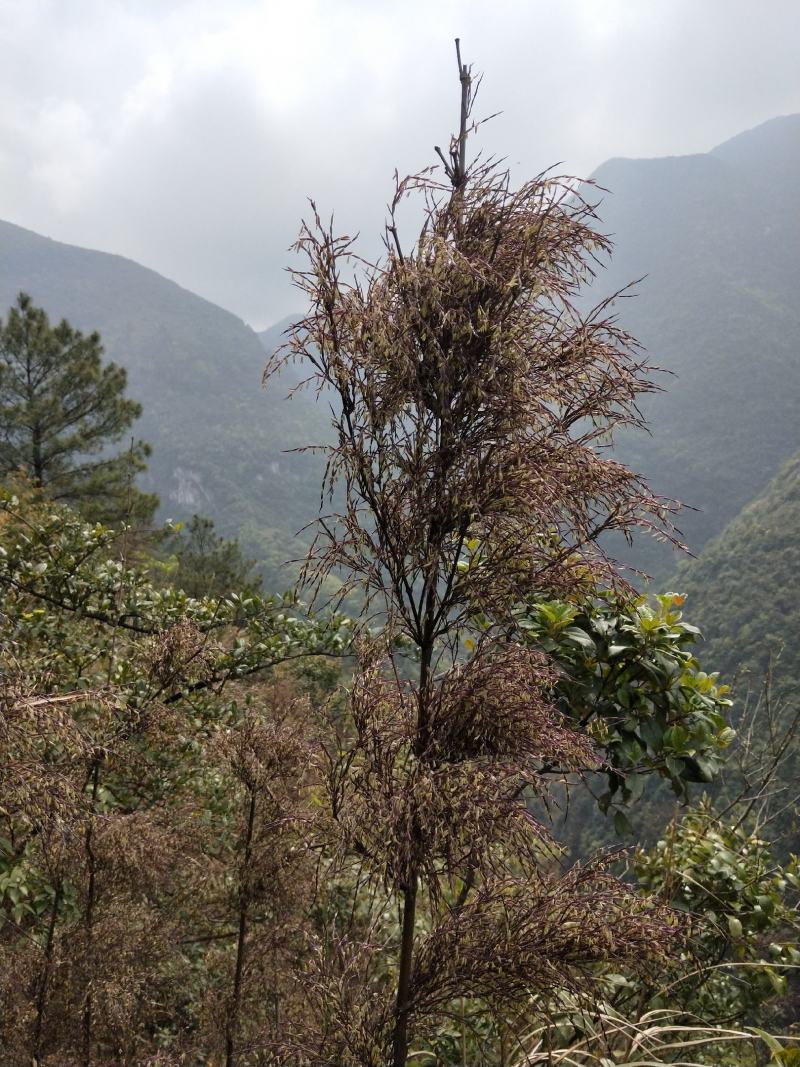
(718, 238)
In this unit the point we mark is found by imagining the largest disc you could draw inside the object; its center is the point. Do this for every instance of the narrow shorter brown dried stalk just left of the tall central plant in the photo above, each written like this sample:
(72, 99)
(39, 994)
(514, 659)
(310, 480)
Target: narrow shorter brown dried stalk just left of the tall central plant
(270, 761)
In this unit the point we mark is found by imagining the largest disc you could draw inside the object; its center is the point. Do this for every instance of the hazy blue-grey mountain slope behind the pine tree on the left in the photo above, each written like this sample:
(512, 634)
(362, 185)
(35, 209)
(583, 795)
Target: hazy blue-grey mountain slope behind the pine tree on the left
(219, 439)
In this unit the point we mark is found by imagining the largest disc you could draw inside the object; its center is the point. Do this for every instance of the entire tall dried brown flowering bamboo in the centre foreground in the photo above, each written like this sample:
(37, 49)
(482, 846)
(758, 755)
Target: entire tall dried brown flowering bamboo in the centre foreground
(474, 405)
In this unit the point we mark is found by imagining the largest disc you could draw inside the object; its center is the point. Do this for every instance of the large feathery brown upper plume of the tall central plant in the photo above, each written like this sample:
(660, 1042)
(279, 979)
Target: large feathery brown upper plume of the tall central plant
(476, 402)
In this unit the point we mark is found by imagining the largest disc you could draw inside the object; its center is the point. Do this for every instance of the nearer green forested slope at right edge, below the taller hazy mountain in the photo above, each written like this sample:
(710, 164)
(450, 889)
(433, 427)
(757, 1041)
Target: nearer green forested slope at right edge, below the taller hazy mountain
(744, 588)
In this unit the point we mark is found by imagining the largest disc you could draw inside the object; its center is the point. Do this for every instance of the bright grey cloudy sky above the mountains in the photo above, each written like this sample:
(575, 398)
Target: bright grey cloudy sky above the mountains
(189, 134)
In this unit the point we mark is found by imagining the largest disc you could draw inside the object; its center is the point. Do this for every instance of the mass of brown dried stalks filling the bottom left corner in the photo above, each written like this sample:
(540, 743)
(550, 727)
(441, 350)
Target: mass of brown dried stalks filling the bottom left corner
(156, 919)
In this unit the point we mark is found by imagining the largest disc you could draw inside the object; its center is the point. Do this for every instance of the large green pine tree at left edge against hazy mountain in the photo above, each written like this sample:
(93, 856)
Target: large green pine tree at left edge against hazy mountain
(61, 408)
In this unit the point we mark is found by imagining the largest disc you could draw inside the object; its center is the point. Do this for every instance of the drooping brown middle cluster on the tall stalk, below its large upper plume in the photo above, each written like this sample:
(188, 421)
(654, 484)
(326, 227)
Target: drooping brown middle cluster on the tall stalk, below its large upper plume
(460, 803)
